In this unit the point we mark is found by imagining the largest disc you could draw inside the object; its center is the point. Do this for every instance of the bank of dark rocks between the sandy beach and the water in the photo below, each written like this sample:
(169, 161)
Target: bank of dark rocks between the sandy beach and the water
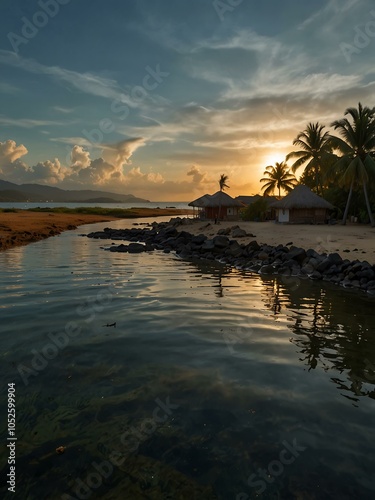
(224, 247)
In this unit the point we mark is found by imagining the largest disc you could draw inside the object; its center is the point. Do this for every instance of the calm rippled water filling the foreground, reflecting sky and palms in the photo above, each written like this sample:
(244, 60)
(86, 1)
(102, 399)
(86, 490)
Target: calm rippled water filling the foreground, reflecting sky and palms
(215, 383)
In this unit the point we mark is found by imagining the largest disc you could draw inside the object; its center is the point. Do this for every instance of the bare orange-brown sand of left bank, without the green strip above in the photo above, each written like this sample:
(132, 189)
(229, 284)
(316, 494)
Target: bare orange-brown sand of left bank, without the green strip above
(23, 227)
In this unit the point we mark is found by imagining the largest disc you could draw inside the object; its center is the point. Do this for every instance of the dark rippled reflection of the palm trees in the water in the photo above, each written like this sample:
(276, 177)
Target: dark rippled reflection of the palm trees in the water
(322, 339)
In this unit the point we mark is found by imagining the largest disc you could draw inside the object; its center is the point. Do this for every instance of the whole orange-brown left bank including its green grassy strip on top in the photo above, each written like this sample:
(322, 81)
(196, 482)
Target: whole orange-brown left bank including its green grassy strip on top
(21, 227)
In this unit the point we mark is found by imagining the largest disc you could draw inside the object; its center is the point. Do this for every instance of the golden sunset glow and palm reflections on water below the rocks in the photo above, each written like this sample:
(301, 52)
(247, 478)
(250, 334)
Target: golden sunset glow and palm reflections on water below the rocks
(333, 328)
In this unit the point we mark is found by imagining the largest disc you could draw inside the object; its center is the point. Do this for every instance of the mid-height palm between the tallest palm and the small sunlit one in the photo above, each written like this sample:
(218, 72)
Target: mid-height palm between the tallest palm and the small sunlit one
(316, 152)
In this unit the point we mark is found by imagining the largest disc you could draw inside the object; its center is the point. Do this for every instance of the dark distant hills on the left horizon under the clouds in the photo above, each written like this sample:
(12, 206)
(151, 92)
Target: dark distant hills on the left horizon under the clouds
(10, 192)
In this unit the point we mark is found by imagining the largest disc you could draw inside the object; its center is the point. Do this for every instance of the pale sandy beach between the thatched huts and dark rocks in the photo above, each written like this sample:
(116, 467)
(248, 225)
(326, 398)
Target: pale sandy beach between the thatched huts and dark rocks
(353, 241)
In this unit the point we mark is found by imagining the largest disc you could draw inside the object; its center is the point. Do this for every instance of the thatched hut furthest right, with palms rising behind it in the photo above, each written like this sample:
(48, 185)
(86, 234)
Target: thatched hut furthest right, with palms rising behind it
(302, 206)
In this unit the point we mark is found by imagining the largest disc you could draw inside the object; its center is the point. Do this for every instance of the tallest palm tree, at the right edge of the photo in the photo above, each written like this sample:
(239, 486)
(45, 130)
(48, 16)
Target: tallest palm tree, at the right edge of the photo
(357, 163)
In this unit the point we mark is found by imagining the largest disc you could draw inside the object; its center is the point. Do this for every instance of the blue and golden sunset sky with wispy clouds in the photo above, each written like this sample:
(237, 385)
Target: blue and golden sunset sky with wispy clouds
(158, 98)
